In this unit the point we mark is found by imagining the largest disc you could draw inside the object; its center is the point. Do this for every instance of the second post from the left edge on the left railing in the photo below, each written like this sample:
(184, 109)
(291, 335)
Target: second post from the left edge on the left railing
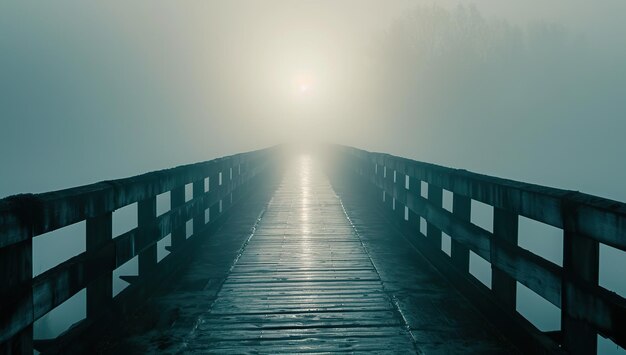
(99, 231)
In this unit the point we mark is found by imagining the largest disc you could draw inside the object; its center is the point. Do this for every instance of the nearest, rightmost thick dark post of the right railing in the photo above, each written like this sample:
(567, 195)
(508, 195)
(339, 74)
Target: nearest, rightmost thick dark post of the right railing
(581, 260)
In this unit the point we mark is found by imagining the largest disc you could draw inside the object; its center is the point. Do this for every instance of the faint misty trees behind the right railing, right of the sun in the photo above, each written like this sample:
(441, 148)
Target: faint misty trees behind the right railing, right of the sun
(537, 102)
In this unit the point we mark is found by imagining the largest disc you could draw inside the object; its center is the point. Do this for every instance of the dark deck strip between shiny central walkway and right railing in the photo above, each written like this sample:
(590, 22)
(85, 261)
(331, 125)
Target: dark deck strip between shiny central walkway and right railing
(439, 318)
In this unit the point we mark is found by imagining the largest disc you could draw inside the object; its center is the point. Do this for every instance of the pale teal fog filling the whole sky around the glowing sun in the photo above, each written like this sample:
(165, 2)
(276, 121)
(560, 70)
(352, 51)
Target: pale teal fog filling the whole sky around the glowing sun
(531, 91)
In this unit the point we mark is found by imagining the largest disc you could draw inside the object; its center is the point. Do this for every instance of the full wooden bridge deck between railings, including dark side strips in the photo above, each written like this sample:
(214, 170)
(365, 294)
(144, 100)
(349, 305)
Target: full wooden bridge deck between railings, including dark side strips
(309, 279)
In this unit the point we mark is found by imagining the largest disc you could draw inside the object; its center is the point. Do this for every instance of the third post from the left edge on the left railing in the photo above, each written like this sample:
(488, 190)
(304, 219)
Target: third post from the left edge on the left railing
(146, 218)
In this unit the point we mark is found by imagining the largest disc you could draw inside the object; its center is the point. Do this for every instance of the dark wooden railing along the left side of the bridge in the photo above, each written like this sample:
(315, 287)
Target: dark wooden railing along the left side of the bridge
(217, 184)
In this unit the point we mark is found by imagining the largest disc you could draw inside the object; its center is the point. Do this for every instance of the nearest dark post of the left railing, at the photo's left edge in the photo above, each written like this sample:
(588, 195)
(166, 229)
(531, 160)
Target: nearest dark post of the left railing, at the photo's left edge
(16, 271)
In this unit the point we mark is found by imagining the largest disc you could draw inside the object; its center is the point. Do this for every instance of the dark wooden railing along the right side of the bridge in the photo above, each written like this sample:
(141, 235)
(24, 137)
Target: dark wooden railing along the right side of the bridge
(587, 221)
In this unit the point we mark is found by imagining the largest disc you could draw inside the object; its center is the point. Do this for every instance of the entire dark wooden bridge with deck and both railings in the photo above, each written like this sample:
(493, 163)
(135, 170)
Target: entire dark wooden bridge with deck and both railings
(339, 250)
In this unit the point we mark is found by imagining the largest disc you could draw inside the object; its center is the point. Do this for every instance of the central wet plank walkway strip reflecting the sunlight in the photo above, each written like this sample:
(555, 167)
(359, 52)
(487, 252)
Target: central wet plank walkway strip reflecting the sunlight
(304, 283)
